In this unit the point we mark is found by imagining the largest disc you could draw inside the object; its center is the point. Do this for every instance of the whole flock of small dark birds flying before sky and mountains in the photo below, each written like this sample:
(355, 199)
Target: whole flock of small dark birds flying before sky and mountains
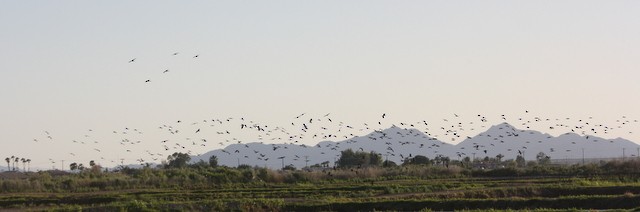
(195, 137)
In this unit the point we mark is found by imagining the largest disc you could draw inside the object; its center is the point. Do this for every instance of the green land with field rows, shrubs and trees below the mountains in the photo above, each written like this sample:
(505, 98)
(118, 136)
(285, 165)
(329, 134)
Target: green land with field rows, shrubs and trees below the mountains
(361, 183)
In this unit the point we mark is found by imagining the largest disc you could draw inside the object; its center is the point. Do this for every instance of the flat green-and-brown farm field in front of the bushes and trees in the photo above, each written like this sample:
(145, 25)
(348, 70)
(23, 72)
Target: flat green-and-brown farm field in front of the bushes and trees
(409, 194)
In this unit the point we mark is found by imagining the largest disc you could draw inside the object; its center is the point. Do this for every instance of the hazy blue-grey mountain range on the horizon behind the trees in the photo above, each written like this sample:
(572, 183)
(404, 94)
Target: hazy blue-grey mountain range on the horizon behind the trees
(396, 143)
